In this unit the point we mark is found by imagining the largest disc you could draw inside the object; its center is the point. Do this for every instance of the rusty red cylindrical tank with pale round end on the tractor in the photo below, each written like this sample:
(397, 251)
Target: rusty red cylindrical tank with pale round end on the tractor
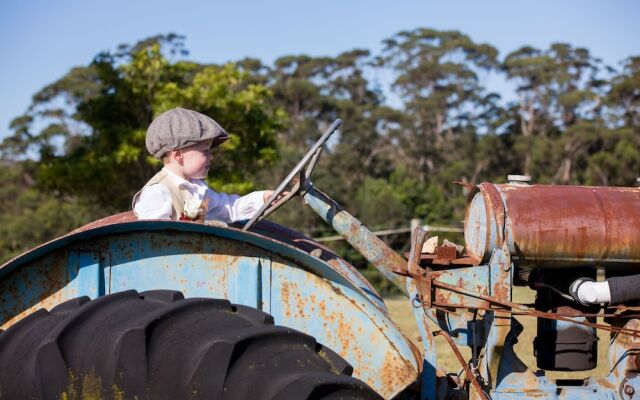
(547, 225)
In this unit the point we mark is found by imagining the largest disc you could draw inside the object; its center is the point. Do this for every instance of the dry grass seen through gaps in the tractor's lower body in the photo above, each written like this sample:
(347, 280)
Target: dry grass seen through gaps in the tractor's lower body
(401, 312)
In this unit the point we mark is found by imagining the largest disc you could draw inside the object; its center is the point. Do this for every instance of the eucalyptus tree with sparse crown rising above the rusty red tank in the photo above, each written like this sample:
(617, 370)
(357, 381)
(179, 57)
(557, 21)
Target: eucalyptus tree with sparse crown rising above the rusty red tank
(560, 96)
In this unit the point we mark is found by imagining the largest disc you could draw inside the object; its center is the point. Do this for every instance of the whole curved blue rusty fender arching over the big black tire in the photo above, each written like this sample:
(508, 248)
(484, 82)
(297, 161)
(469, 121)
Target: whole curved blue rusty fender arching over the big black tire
(300, 290)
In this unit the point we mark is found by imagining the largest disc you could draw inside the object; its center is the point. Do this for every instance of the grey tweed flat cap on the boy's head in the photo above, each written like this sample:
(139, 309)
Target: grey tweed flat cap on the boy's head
(178, 128)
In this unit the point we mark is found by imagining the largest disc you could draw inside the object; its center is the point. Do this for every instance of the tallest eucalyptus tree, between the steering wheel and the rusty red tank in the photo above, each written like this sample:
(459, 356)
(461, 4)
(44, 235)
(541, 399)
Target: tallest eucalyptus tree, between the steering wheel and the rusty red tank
(438, 76)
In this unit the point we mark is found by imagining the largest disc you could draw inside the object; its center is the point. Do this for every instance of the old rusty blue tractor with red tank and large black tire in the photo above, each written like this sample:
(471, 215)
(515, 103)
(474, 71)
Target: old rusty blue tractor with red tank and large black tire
(126, 308)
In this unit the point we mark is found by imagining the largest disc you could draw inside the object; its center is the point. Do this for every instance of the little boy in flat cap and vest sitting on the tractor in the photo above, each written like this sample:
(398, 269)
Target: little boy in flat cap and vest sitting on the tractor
(183, 139)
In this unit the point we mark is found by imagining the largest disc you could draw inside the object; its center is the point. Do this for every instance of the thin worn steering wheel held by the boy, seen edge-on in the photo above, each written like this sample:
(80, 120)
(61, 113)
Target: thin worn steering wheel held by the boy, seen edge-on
(299, 171)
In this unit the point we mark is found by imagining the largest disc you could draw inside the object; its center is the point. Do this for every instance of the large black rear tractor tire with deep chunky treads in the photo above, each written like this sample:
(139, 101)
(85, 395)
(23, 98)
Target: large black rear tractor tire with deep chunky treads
(158, 345)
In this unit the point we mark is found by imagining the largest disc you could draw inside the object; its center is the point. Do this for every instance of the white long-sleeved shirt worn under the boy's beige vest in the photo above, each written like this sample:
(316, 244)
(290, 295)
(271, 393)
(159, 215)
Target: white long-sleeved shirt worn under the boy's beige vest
(155, 201)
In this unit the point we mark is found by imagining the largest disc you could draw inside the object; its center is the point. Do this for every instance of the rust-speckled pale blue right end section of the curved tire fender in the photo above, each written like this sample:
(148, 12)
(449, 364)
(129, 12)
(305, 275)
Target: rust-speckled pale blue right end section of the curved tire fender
(355, 329)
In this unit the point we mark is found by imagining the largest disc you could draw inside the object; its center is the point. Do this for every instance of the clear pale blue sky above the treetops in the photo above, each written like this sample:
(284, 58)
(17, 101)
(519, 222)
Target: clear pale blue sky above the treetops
(40, 40)
